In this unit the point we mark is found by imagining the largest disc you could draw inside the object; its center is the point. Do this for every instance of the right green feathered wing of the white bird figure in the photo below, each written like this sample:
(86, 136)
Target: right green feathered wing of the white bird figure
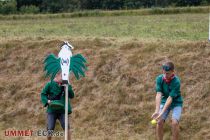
(77, 65)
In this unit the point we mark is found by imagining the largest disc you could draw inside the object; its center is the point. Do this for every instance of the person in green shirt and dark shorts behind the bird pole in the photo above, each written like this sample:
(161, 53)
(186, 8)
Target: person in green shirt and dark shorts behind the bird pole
(51, 93)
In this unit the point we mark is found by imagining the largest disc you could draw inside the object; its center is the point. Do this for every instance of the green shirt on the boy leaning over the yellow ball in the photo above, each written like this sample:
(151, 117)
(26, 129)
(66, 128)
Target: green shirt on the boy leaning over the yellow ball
(172, 89)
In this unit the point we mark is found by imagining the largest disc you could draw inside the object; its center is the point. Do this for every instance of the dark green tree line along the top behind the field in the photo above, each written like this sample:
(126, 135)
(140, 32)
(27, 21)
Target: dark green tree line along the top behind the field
(56, 6)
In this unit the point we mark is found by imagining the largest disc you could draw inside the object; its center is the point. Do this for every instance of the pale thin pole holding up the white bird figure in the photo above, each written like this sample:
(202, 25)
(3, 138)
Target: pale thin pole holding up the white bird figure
(66, 111)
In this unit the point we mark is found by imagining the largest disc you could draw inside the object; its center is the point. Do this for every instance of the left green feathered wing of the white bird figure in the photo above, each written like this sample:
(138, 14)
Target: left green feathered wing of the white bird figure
(51, 66)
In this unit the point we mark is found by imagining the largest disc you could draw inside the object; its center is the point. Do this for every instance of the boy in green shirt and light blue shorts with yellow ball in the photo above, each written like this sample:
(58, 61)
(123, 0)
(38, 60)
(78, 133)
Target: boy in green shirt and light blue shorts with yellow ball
(168, 98)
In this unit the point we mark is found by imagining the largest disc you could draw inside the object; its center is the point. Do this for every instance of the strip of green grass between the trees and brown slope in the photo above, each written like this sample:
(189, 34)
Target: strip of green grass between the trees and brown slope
(168, 27)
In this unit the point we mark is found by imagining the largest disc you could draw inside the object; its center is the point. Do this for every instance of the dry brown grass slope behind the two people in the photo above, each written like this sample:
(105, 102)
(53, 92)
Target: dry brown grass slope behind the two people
(116, 99)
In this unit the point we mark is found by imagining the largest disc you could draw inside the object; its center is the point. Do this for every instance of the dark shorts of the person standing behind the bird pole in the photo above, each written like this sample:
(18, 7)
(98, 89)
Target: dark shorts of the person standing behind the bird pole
(51, 120)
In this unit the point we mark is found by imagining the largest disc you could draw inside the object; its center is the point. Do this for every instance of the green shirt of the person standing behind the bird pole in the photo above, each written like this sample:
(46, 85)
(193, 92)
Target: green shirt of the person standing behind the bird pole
(51, 90)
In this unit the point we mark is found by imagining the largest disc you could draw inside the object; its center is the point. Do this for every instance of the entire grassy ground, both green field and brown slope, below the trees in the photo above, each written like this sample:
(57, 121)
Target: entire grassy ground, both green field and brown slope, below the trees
(124, 53)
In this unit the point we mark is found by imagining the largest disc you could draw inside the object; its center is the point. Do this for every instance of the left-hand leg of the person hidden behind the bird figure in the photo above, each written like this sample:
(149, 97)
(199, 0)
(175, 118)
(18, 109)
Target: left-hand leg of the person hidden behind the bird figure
(51, 119)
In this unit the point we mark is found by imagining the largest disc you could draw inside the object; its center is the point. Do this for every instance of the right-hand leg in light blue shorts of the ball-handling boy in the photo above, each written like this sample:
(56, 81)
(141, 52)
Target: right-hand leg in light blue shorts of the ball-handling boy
(176, 115)
